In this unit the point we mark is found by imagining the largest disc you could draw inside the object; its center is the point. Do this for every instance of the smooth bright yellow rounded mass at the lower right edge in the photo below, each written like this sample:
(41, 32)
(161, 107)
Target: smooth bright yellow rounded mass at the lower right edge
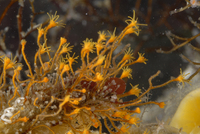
(187, 115)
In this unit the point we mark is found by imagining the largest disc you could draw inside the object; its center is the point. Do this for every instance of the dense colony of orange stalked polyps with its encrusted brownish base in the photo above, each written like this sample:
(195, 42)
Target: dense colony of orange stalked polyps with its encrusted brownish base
(56, 94)
